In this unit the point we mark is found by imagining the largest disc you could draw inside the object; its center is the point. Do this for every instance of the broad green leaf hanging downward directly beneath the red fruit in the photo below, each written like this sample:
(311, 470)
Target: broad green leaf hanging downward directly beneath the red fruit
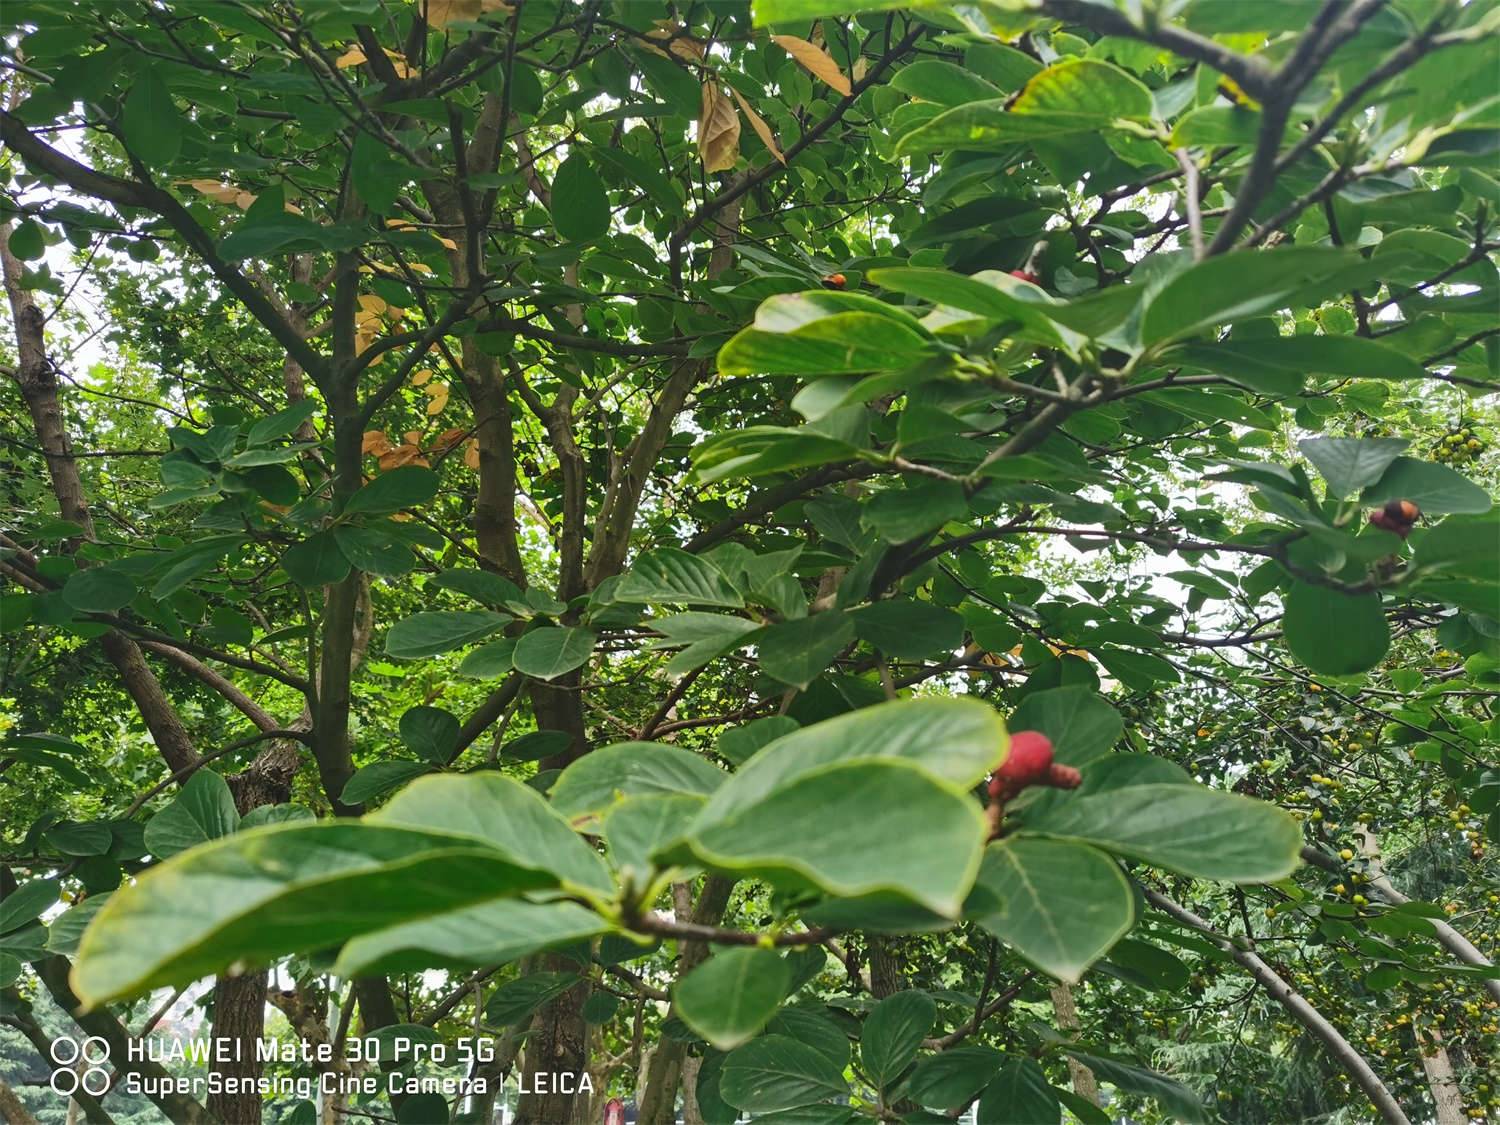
(1058, 905)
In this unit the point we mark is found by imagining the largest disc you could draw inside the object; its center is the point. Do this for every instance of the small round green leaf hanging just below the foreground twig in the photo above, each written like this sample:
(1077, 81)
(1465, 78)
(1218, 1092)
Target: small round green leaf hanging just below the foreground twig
(733, 995)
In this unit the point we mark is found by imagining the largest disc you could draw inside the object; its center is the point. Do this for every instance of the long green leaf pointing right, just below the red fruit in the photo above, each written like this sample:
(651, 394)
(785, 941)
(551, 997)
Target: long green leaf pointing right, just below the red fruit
(1186, 829)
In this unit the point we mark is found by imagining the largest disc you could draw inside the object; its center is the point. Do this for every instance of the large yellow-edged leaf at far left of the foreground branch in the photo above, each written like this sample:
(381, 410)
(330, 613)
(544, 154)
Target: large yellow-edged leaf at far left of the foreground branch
(289, 889)
